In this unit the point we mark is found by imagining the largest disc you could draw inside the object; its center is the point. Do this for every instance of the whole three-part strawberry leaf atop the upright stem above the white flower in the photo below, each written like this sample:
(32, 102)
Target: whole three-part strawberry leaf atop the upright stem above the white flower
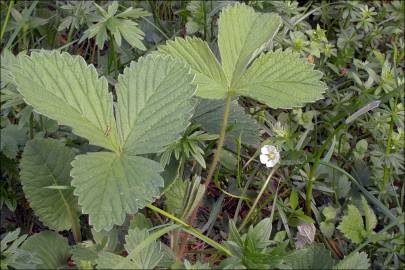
(239, 42)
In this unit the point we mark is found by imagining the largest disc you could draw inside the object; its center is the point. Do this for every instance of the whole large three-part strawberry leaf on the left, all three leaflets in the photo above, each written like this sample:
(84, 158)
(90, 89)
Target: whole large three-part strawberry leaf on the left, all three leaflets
(145, 126)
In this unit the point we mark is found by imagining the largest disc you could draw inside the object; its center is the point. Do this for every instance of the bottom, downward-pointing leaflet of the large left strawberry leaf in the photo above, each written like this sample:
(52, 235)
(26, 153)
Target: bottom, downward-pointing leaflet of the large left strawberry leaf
(109, 186)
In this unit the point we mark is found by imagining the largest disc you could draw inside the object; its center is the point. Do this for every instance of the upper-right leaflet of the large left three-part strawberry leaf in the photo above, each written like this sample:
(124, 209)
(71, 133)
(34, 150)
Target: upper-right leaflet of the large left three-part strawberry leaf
(154, 103)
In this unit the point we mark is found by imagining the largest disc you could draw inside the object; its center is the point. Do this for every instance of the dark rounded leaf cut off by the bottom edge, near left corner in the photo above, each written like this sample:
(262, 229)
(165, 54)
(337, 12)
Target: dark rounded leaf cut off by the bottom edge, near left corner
(51, 248)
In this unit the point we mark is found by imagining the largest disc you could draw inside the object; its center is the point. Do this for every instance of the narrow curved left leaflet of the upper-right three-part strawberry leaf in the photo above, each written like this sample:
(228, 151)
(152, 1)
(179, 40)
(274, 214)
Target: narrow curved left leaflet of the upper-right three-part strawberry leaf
(210, 77)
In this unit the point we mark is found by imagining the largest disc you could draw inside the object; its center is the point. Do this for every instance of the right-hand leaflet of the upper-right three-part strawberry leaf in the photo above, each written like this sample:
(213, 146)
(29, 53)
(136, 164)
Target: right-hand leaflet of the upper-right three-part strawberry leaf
(281, 80)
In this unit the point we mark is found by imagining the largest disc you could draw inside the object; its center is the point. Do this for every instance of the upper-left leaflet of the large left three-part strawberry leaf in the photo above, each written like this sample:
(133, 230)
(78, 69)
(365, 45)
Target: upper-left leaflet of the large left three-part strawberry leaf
(63, 87)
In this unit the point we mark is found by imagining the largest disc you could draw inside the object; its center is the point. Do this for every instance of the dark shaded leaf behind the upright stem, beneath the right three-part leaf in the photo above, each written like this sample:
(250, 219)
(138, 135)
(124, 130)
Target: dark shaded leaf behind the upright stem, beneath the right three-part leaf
(209, 114)
